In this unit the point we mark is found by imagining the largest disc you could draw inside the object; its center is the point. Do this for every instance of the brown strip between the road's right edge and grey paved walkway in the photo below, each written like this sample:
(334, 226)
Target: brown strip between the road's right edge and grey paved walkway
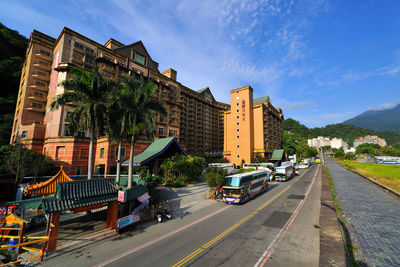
(332, 244)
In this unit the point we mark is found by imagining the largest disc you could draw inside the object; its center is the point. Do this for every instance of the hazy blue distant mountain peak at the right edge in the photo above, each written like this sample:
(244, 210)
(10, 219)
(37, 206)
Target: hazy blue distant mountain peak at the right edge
(387, 119)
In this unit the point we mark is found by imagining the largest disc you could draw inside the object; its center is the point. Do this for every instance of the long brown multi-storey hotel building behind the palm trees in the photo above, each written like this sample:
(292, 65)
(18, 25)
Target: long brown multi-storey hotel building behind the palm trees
(195, 118)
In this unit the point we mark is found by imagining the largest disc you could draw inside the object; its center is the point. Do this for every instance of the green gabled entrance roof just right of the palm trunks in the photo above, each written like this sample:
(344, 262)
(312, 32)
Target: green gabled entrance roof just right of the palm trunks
(156, 149)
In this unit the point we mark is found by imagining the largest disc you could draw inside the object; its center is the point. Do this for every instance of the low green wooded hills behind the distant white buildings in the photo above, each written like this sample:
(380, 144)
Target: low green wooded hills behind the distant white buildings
(347, 132)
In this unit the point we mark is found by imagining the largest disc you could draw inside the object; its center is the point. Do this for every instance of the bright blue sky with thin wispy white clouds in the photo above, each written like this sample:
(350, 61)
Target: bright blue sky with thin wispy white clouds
(321, 61)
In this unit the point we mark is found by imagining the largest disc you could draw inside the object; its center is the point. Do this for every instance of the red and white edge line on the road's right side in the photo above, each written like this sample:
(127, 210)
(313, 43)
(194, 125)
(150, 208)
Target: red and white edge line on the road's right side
(268, 252)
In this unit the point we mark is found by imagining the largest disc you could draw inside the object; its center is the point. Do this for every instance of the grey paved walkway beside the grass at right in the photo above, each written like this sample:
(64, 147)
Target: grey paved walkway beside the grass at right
(372, 215)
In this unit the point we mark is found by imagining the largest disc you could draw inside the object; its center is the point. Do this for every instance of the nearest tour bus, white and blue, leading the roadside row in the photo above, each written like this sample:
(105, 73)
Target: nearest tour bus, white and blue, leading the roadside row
(239, 188)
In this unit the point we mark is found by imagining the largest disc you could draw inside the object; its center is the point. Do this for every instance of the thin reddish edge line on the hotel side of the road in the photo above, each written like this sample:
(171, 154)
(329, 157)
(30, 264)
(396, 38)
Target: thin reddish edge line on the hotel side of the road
(108, 261)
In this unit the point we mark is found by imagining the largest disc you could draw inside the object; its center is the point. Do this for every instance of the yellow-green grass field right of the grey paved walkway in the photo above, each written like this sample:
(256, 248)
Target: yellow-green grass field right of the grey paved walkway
(386, 174)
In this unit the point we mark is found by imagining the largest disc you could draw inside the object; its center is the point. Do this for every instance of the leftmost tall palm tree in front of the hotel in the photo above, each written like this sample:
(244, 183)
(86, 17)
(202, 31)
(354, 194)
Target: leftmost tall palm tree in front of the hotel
(91, 92)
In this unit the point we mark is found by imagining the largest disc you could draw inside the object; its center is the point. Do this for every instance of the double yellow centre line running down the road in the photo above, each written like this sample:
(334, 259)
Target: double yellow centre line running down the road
(233, 227)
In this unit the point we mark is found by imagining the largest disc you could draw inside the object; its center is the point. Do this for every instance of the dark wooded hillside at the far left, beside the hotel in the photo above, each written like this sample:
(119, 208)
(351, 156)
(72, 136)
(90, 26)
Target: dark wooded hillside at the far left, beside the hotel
(12, 54)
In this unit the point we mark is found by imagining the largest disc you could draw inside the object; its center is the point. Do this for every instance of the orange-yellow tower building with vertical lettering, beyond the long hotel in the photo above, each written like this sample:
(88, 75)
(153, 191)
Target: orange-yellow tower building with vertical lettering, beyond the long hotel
(251, 127)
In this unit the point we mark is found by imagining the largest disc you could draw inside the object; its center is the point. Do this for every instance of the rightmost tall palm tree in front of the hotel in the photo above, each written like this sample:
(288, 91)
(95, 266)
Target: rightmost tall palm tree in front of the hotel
(138, 110)
